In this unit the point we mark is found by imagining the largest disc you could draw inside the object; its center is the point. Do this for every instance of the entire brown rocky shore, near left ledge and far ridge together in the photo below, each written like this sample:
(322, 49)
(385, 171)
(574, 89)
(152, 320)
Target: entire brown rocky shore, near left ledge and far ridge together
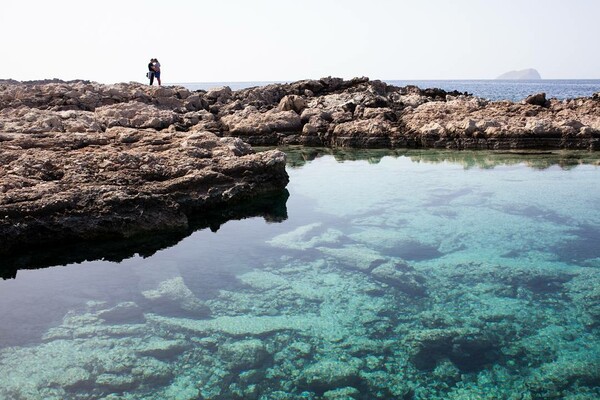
(81, 160)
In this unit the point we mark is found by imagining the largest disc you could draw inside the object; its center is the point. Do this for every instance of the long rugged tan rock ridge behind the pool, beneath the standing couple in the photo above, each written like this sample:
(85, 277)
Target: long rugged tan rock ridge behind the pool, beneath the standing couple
(325, 112)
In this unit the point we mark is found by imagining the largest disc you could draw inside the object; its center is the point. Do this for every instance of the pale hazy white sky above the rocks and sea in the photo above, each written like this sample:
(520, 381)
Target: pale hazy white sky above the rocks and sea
(267, 40)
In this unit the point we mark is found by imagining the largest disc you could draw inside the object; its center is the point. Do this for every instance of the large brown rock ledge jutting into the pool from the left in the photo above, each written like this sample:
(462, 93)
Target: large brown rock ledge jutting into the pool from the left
(122, 182)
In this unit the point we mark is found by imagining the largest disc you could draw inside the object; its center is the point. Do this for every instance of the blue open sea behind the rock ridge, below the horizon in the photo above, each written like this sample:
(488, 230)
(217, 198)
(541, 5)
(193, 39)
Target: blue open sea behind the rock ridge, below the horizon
(488, 89)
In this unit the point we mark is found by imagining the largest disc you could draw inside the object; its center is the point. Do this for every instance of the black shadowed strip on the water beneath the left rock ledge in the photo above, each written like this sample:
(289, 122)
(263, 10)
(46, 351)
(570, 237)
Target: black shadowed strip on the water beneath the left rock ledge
(272, 208)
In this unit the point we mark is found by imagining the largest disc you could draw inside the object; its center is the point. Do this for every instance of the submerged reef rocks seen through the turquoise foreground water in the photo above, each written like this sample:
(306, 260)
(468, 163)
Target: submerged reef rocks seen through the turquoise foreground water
(334, 316)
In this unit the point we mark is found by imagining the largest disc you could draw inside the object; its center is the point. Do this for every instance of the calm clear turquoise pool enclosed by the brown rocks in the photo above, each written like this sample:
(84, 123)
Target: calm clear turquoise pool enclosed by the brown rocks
(415, 274)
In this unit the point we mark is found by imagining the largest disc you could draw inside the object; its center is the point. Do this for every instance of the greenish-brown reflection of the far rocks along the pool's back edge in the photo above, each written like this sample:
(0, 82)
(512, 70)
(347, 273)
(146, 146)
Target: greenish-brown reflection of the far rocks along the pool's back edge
(298, 156)
